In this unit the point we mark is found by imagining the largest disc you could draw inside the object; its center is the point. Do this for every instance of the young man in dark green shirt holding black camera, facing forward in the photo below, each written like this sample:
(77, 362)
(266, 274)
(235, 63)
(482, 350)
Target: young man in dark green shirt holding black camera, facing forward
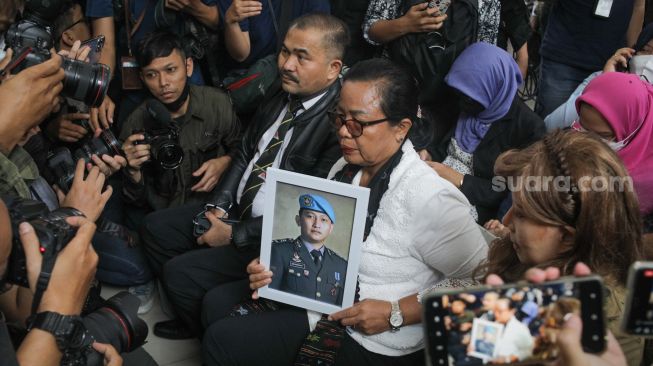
(187, 133)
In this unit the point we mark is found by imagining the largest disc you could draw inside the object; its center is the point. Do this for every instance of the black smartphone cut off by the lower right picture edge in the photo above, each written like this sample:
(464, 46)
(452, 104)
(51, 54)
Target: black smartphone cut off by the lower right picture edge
(638, 315)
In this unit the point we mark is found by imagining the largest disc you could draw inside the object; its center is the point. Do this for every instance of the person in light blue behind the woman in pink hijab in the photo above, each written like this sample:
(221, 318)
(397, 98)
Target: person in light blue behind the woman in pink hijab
(637, 60)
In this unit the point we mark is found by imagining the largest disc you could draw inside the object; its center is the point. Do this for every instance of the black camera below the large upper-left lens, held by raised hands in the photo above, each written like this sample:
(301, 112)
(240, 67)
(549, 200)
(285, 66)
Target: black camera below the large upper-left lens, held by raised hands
(62, 162)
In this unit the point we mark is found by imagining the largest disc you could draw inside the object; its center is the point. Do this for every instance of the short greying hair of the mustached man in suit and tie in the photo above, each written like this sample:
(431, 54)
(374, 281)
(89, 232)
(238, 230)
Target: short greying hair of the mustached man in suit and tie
(336, 33)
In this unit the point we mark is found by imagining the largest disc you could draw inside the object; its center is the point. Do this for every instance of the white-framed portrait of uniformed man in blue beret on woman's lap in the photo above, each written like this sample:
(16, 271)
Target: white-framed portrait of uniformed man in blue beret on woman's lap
(312, 234)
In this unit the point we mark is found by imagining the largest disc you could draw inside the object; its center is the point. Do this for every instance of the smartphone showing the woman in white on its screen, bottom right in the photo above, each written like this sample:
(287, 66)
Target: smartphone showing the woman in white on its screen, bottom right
(511, 324)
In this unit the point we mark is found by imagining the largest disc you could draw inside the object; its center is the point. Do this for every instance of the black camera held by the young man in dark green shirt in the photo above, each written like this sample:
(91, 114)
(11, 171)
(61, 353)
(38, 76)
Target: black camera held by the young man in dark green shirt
(164, 146)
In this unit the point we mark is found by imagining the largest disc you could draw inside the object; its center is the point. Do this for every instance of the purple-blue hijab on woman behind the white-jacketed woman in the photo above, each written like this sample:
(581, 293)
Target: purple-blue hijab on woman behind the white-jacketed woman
(490, 76)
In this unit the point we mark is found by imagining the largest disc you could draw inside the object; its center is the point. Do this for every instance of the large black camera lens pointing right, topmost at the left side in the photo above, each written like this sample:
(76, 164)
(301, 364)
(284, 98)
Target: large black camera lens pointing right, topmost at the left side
(85, 82)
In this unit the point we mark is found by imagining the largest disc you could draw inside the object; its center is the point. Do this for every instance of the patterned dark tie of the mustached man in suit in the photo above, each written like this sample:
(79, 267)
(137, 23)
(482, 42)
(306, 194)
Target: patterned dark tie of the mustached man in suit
(257, 177)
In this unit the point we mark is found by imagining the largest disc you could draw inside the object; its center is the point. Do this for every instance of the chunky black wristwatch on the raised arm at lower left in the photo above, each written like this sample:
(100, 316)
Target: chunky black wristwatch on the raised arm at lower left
(68, 330)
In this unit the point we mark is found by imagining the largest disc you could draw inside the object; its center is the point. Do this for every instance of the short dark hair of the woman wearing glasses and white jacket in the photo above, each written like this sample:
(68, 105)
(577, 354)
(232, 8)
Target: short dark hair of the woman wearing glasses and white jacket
(396, 86)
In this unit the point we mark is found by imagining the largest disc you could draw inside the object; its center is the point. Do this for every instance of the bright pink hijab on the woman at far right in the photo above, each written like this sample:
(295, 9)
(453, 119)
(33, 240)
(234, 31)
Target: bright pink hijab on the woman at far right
(626, 102)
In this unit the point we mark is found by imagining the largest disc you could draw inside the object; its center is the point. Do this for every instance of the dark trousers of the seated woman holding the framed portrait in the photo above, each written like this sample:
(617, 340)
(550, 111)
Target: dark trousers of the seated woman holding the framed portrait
(270, 338)
